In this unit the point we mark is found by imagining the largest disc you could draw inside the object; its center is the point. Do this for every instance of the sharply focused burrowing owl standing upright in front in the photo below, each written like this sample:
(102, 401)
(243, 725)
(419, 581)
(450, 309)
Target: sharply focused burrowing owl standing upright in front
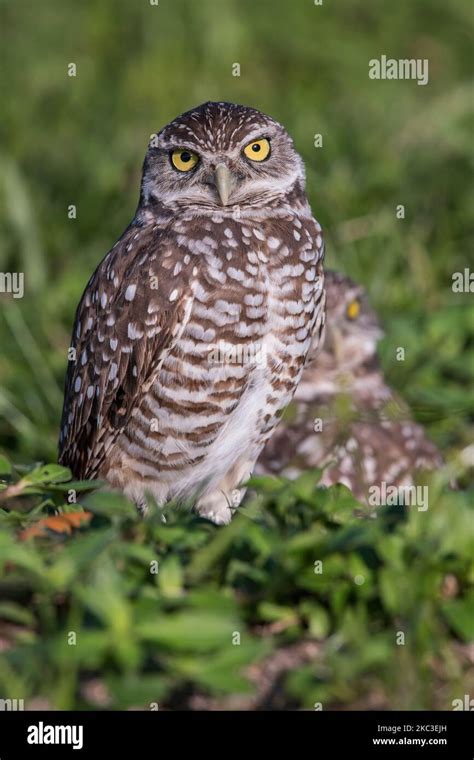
(192, 333)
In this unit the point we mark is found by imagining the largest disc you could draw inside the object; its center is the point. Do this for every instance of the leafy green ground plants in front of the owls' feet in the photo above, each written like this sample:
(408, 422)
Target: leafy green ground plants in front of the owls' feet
(132, 612)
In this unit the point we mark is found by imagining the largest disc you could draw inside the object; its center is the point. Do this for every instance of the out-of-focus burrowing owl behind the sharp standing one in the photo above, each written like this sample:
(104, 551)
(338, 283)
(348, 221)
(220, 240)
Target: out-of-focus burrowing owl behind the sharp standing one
(344, 417)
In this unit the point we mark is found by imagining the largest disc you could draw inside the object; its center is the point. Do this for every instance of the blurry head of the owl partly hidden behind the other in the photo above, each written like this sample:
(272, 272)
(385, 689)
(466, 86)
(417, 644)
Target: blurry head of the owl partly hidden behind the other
(352, 330)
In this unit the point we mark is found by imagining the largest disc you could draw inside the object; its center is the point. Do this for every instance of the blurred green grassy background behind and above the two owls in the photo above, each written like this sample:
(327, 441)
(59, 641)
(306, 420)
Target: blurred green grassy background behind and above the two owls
(81, 140)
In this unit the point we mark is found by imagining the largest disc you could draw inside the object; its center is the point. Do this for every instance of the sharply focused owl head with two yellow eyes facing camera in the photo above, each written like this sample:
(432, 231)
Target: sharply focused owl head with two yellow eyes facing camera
(218, 155)
